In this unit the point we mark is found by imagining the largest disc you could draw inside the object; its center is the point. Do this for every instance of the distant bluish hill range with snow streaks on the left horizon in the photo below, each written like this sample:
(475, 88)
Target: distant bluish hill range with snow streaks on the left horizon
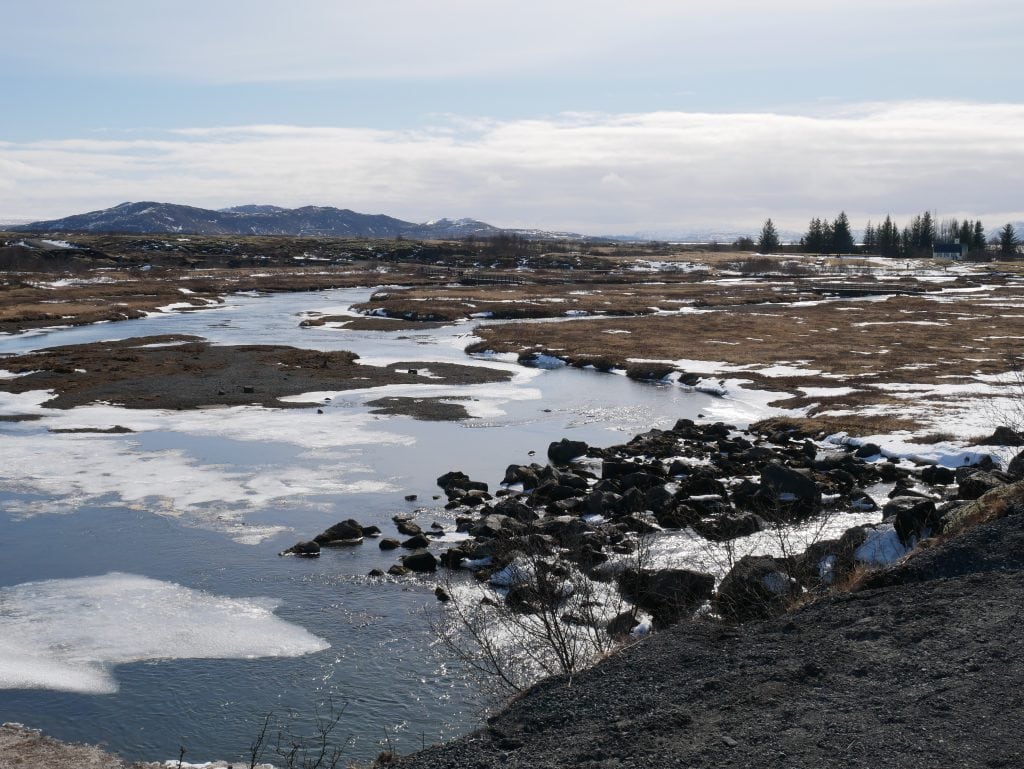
(322, 222)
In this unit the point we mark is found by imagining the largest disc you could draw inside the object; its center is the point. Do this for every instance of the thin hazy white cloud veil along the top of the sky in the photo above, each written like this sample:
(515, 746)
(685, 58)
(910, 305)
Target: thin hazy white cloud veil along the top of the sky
(232, 41)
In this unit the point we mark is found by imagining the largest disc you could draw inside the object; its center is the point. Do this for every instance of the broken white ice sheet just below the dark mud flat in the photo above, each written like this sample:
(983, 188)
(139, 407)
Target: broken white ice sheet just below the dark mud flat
(80, 469)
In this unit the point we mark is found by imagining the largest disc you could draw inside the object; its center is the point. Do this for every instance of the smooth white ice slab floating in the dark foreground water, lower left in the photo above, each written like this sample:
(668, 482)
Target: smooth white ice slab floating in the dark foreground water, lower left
(68, 634)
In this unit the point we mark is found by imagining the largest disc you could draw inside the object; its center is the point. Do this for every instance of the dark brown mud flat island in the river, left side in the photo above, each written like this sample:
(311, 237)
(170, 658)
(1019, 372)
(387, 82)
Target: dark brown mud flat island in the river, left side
(186, 372)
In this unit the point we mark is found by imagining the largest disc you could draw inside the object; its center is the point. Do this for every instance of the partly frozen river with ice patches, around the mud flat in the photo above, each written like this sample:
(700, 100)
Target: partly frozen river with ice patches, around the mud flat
(143, 605)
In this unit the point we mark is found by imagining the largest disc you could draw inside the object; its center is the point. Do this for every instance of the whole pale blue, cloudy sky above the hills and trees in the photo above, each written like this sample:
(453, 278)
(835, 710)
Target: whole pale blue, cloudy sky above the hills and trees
(650, 117)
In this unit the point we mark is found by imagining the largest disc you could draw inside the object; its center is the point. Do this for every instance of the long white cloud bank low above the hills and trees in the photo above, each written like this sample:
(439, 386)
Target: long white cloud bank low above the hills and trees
(590, 173)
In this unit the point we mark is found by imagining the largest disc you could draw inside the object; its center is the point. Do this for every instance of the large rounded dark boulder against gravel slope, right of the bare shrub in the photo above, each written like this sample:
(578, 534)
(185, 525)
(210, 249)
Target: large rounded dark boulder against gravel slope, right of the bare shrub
(756, 587)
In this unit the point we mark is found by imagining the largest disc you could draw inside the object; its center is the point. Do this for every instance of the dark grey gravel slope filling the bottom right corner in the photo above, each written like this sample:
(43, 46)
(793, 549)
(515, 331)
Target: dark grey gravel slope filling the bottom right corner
(926, 670)
